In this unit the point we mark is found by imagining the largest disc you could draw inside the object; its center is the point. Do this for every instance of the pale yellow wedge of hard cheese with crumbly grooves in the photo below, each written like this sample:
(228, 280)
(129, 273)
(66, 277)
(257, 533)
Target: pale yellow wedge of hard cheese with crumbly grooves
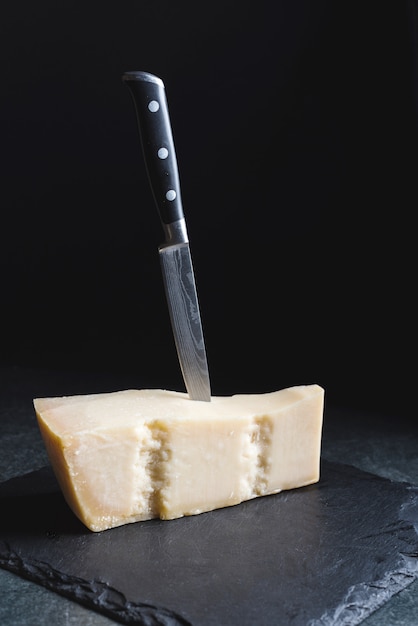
(135, 455)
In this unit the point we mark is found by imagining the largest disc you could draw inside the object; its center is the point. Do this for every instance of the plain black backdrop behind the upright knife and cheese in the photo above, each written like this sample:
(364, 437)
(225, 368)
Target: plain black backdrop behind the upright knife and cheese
(296, 132)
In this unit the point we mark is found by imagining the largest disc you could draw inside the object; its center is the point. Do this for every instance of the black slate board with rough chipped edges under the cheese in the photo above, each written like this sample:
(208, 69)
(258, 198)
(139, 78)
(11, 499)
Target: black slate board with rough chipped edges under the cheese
(326, 554)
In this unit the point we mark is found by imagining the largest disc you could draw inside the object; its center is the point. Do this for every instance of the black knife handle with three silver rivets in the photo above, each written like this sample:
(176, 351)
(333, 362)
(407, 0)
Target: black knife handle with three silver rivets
(148, 93)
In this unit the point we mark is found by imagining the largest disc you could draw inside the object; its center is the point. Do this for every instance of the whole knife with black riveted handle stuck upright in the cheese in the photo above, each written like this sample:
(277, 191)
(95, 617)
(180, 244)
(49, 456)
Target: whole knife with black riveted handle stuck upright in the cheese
(148, 93)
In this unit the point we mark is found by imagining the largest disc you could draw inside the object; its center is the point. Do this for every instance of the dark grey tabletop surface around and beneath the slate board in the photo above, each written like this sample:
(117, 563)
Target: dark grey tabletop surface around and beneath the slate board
(386, 447)
